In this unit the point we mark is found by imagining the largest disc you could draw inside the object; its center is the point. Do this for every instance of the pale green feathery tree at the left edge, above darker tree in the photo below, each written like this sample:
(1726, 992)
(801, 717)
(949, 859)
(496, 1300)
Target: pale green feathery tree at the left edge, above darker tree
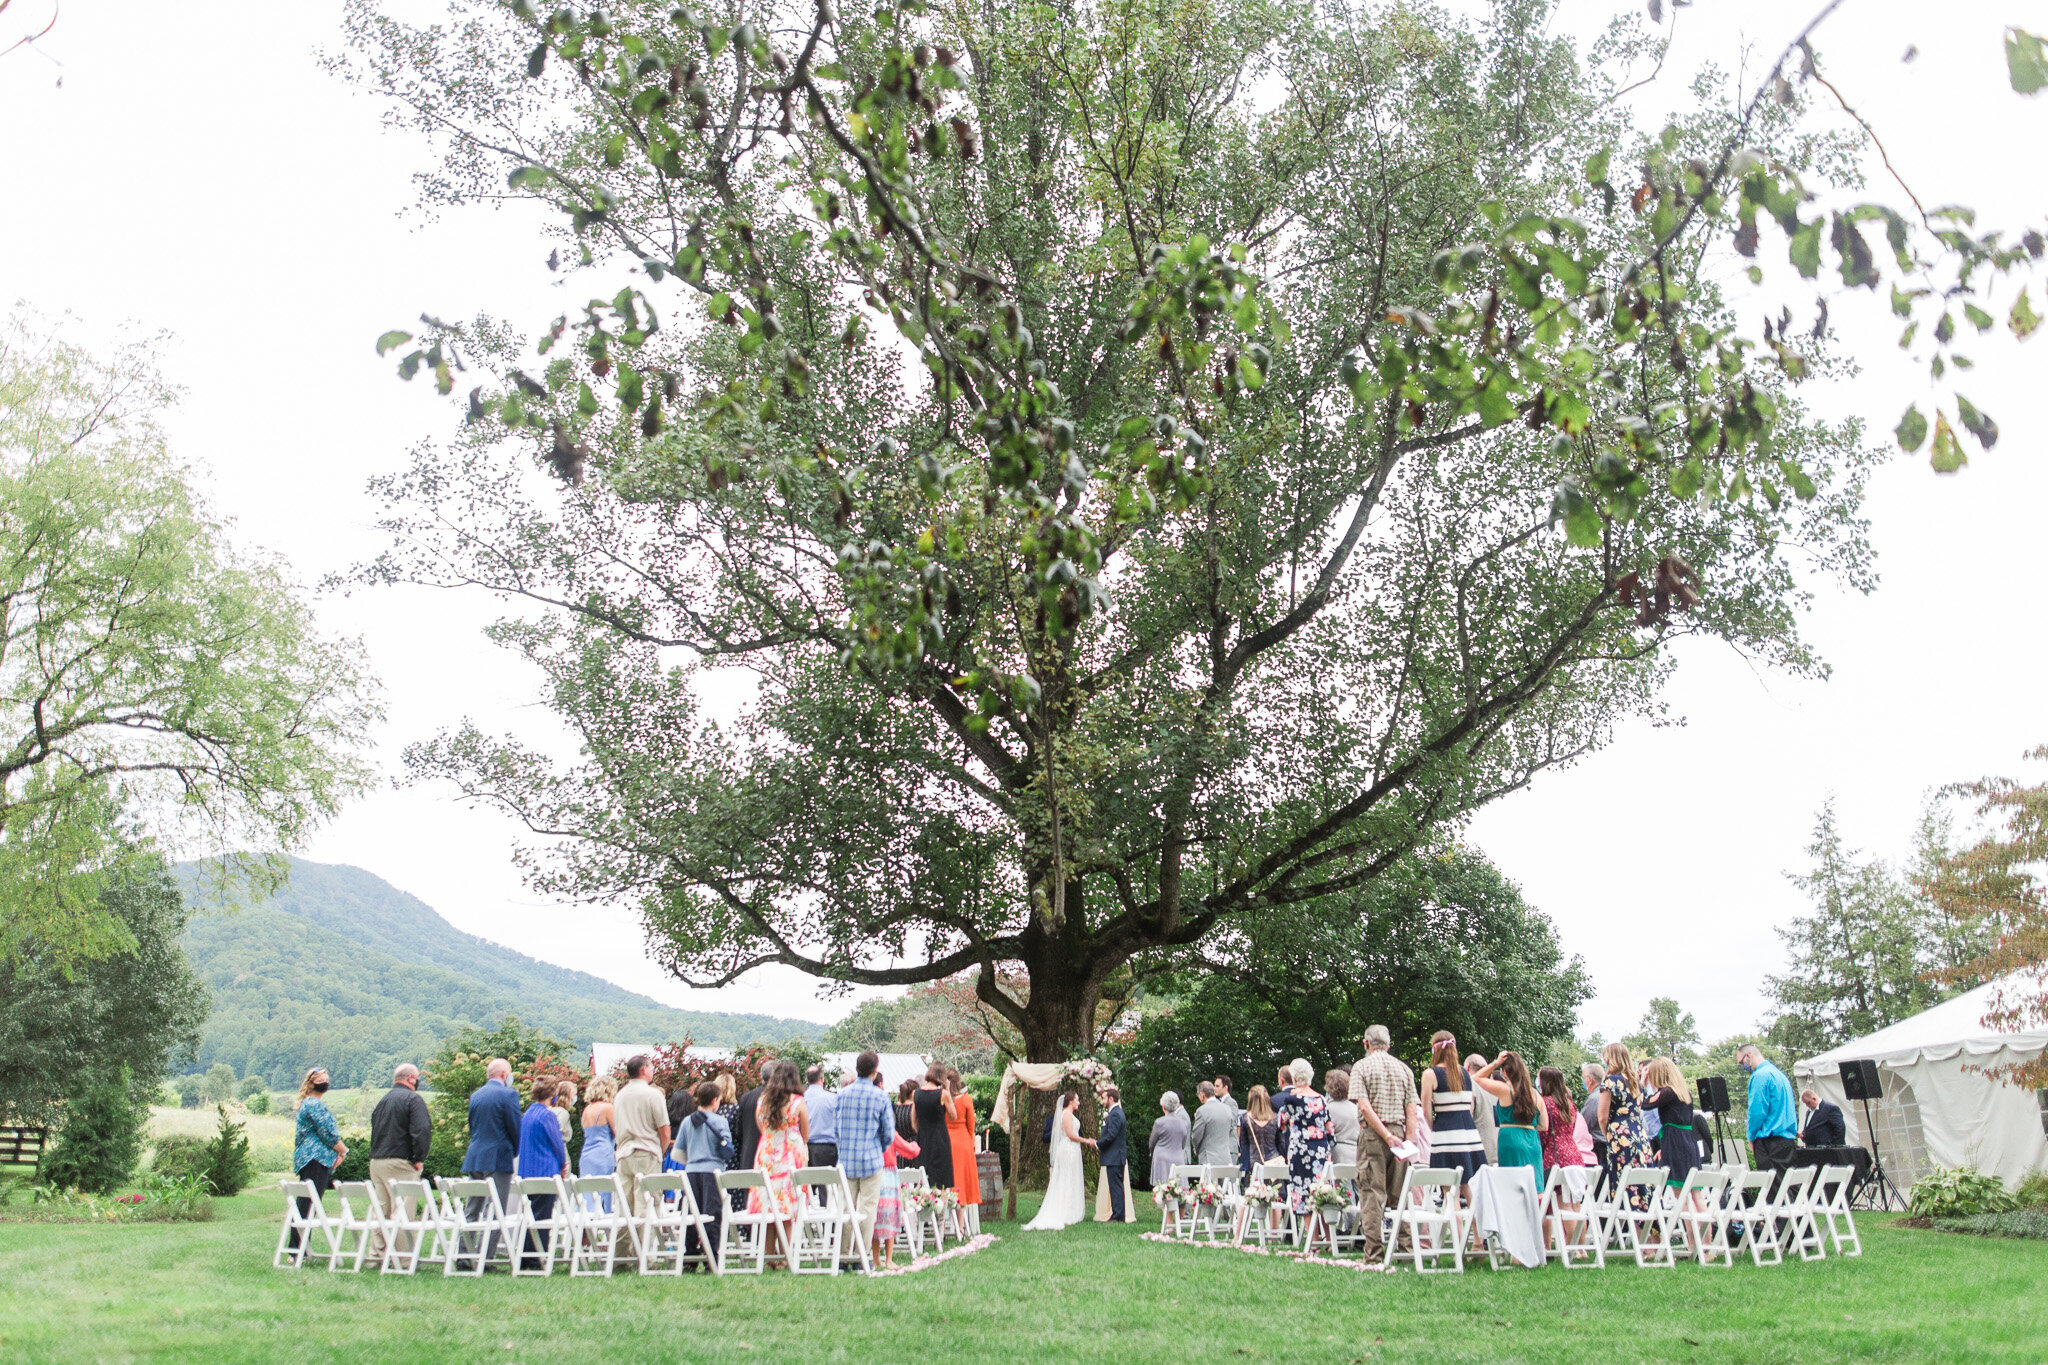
(151, 674)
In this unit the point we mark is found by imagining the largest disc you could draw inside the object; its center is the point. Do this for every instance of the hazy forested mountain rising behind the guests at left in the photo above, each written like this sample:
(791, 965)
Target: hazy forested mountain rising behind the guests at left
(349, 973)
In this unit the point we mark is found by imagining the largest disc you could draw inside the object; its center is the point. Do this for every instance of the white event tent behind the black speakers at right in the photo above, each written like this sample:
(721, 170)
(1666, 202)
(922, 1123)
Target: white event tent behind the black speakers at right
(1936, 1112)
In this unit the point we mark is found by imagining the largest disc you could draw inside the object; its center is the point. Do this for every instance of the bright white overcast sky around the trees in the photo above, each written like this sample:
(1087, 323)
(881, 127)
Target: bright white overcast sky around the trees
(198, 173)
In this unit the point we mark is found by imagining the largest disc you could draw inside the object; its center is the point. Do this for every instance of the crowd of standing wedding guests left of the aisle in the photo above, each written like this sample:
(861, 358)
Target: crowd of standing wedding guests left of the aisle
(787, 1122)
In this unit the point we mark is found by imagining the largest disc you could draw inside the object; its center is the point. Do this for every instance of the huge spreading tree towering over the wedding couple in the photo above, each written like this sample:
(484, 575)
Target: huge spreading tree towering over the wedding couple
(1148, 468)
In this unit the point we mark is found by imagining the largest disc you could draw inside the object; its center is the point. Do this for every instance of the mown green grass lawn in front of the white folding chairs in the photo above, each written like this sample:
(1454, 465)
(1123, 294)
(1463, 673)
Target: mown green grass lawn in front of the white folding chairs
(206, 1292)
